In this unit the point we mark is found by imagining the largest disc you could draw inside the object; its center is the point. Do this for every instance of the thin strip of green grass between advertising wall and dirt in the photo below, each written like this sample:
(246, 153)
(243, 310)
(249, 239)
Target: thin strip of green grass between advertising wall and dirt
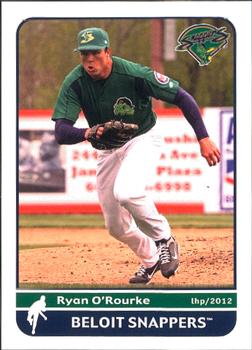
(207, 220)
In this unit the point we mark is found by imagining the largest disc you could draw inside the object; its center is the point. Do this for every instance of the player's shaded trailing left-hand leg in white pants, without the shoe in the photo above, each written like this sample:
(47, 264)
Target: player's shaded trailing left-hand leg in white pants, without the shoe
(118, 220)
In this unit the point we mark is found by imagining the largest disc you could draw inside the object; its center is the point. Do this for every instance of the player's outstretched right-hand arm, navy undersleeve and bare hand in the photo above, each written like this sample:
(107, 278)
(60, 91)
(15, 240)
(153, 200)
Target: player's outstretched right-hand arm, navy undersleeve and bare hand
(191, 112)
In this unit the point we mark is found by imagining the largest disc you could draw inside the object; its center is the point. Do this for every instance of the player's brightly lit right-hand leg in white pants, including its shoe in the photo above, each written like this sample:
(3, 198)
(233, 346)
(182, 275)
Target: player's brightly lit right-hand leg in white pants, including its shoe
(138, 164)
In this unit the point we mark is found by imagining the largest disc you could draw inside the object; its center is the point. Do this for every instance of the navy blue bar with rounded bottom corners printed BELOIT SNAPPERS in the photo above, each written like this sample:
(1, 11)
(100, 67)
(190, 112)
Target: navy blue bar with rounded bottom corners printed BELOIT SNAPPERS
(130, 323)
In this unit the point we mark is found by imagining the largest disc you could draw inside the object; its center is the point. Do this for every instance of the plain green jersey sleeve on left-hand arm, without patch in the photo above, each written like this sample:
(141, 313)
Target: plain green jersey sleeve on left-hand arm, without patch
(67, 105)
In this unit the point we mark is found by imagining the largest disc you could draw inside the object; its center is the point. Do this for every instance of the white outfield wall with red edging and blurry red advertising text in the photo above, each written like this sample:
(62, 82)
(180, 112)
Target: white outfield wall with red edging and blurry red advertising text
(61, 179)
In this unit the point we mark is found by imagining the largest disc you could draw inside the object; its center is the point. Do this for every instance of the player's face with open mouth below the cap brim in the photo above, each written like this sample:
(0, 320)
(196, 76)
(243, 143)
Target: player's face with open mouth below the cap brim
(97, 63)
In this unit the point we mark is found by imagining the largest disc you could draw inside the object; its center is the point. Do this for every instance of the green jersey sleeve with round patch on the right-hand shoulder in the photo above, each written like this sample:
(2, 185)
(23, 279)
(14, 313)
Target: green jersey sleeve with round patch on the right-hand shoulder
(159, 86)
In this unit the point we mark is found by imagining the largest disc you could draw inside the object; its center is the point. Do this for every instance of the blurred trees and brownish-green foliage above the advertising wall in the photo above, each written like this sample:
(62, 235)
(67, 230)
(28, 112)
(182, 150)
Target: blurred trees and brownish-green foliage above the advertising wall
(46, 56)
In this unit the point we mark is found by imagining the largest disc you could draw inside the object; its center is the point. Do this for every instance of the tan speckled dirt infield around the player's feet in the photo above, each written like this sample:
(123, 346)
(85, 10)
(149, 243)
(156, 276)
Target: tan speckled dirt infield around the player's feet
(90, 256)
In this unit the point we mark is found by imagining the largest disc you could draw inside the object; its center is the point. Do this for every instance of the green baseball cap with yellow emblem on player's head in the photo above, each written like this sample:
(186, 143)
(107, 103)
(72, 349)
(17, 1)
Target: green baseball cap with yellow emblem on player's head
(92, 39)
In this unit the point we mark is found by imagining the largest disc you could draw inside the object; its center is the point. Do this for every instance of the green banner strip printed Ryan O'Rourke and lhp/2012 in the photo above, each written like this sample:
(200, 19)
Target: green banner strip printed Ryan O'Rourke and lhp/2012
(130, 300)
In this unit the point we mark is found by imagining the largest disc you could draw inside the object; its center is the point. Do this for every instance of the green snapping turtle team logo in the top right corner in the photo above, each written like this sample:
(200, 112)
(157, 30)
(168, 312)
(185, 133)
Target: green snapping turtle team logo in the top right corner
(203, 41)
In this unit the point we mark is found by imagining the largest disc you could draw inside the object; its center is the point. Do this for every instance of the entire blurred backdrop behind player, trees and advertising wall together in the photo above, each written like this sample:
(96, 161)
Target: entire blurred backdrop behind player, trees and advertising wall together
(66, 174)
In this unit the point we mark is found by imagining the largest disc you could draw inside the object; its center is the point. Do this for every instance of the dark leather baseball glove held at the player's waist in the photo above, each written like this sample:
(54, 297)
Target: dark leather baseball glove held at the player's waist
(115, 134)
